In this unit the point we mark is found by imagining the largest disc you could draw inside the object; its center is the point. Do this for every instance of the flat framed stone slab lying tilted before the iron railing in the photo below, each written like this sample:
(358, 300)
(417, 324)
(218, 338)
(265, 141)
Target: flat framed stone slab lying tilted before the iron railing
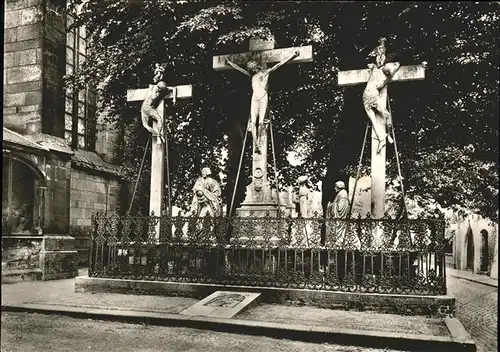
(222, 304)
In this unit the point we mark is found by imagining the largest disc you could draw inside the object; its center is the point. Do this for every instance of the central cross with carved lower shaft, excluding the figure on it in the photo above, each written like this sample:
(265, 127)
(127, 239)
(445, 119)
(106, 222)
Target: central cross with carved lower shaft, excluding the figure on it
(262, 52)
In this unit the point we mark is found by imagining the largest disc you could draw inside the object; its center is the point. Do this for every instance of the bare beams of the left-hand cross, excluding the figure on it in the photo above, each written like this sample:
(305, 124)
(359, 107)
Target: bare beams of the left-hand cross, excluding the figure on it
(157, 149)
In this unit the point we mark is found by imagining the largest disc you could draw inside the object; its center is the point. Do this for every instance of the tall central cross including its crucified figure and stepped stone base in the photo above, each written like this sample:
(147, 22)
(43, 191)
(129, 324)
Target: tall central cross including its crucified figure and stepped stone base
(259, 198)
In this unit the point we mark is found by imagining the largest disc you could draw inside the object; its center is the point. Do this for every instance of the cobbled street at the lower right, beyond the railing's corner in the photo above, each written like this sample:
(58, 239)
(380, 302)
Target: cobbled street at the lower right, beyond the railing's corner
(477, 309)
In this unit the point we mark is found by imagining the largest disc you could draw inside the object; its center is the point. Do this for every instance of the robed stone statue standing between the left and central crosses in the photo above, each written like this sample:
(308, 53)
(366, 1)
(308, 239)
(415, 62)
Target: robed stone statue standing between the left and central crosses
(207, 196)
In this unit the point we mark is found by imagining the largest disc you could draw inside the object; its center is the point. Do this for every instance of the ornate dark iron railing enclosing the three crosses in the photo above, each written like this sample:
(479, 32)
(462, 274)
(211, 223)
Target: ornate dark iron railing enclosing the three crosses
(355, 255)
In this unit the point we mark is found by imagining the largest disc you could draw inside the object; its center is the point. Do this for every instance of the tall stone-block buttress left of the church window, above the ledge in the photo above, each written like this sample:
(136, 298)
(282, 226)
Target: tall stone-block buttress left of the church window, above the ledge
(30, 73)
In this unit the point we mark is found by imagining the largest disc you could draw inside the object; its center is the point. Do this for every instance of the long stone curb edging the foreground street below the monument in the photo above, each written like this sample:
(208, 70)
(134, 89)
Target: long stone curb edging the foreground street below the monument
(459, 341)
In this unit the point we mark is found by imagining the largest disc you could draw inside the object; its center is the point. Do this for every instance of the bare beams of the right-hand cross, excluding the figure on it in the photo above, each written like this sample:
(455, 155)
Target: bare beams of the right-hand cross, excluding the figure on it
(353, 77)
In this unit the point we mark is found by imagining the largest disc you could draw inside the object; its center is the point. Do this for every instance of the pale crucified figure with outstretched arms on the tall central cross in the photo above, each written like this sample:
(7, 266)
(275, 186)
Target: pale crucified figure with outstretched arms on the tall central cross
(260, 77)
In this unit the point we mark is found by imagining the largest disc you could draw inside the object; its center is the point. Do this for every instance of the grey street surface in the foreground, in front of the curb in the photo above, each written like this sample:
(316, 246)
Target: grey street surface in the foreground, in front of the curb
(23, 332)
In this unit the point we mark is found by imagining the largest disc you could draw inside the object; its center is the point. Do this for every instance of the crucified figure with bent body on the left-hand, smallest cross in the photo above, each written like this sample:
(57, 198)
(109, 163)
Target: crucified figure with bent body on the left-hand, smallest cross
(151, 102)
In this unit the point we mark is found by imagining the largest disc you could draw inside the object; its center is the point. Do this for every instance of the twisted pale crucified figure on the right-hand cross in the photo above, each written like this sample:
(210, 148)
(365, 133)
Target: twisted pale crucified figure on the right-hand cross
(375, 95)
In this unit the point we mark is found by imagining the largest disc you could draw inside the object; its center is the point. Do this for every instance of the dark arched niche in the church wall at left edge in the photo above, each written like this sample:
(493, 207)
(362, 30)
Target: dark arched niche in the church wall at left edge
(23, 188)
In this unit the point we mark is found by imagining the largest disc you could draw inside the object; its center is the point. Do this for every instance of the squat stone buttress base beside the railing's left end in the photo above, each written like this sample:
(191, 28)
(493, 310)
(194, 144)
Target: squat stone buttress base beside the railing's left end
(58, 257)
